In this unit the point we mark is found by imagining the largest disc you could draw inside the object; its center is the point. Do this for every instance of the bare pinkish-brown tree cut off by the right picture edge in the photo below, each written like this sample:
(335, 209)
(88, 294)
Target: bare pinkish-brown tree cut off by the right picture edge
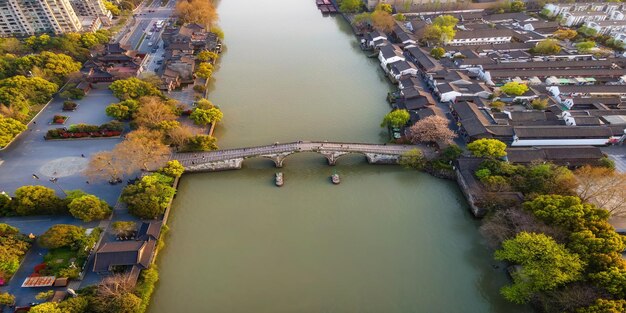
(603, 187)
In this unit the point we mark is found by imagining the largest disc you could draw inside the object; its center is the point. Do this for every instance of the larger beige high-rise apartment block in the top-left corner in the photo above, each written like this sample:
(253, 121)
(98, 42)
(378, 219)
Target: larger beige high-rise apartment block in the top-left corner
(28, 17)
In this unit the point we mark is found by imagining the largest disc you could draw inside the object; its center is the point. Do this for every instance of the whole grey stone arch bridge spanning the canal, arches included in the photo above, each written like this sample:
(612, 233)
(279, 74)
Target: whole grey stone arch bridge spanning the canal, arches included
(233, 158)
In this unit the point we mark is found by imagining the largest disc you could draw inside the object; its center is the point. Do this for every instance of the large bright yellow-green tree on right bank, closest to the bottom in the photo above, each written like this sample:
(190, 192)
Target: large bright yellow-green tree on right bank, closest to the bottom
(545, 265)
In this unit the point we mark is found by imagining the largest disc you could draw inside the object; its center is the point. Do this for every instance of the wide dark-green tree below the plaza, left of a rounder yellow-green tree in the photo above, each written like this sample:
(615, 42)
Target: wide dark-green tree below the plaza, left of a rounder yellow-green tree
(34, 200)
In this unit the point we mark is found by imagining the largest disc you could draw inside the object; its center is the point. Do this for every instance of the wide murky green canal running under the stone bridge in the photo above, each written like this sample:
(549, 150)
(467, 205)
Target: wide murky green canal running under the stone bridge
(385, 240)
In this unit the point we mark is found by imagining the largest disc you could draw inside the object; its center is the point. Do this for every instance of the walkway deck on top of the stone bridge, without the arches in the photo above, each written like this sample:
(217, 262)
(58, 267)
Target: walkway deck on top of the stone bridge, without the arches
(190, 158)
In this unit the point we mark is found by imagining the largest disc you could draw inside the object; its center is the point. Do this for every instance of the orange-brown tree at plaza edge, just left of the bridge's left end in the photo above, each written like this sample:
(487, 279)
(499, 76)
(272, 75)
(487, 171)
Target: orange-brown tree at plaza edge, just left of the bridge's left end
(142, 149)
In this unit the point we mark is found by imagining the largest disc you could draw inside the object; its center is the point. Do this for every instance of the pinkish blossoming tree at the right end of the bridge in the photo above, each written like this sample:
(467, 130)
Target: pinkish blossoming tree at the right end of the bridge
(431, 129)
